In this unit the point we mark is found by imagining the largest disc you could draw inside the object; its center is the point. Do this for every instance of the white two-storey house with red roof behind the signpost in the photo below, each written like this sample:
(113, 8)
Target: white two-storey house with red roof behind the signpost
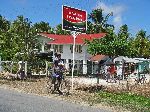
(64, 45)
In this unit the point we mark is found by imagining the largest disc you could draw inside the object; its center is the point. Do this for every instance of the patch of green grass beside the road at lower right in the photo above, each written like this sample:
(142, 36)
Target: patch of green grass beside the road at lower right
(132, 102)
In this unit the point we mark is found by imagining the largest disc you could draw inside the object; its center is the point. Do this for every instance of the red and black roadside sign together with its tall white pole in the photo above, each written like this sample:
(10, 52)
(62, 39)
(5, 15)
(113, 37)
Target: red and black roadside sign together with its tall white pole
(74, 20)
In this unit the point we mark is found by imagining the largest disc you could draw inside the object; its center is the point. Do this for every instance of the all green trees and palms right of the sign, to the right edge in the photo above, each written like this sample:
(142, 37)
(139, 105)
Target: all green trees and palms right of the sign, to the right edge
(120, 44)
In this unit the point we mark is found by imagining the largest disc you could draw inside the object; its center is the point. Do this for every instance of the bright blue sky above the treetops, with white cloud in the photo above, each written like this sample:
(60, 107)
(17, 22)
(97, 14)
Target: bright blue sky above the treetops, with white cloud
(134, 13)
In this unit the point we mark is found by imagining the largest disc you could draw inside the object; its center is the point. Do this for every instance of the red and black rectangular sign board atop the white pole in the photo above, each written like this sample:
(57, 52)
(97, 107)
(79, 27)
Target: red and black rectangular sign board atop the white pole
(74, 19)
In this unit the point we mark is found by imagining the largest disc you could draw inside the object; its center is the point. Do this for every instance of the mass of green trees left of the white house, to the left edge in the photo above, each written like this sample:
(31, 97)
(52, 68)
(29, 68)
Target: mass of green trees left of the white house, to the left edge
(17, 38)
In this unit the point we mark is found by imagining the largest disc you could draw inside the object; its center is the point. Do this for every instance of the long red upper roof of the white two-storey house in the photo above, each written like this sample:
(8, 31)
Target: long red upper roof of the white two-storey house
(68, 39)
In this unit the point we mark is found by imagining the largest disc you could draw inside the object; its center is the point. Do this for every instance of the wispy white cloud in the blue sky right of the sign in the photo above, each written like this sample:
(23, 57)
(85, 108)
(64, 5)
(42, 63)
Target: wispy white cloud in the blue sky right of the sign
(117, 12)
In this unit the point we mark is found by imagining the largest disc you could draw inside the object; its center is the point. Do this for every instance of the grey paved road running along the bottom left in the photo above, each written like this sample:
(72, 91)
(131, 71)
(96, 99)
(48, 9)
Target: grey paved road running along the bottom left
(12, 101)
